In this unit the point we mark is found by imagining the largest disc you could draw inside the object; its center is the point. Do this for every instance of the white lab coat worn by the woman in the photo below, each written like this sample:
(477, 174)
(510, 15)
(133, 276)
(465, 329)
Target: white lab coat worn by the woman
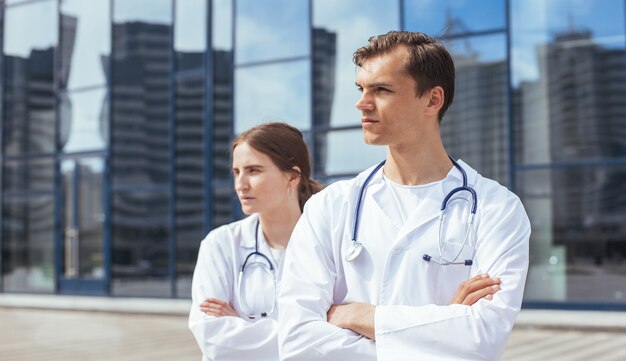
(220, 258)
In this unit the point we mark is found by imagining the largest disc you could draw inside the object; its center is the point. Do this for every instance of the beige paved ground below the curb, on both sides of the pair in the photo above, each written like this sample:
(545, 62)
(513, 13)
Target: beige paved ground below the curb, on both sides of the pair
(60, 335)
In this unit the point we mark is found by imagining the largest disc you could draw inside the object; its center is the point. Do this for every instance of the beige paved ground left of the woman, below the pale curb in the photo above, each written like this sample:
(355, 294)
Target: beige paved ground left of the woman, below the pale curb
(35, 335)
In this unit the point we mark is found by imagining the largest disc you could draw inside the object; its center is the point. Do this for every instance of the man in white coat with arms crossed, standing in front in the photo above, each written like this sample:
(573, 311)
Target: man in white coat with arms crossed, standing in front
(387, 294)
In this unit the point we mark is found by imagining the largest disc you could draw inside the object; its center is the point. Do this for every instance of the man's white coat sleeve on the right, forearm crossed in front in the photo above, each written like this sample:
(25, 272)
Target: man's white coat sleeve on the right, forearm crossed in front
(458, 332)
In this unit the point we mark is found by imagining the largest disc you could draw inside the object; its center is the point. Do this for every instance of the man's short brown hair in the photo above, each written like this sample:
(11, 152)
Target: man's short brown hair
(429, 63)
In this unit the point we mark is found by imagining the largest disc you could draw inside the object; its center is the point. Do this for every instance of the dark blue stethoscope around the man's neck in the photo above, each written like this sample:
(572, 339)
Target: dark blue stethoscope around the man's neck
(357, 247)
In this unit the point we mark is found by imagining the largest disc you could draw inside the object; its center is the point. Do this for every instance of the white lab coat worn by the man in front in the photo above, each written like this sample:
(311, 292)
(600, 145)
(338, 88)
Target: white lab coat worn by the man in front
(413, 318)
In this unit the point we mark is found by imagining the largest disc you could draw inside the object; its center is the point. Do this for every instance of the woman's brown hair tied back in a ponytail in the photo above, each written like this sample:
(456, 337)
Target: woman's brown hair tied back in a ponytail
(285, 146)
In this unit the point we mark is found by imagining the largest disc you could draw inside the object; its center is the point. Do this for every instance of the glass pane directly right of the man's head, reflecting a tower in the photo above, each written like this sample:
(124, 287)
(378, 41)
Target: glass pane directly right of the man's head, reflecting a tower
(475, 127)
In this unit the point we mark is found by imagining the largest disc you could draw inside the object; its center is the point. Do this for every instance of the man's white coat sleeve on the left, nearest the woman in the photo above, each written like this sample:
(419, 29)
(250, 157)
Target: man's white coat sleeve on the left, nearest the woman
(307, 290)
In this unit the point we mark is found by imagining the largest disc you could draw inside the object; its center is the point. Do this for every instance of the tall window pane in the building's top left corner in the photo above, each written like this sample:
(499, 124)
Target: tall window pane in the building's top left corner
(29, 42)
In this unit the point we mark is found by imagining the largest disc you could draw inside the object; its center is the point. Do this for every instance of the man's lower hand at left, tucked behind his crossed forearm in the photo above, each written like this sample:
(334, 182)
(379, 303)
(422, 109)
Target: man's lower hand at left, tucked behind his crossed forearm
(358, 317)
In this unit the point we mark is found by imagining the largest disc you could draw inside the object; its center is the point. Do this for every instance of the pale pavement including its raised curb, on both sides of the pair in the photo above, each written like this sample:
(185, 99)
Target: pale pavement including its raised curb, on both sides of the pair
(116, 329)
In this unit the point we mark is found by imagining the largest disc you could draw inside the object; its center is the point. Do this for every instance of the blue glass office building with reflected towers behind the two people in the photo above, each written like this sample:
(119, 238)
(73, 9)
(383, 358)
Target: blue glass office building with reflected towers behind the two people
(117, 117)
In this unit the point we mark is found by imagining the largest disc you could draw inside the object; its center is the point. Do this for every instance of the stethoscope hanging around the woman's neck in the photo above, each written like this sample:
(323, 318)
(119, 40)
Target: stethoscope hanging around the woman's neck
(266, 268)
